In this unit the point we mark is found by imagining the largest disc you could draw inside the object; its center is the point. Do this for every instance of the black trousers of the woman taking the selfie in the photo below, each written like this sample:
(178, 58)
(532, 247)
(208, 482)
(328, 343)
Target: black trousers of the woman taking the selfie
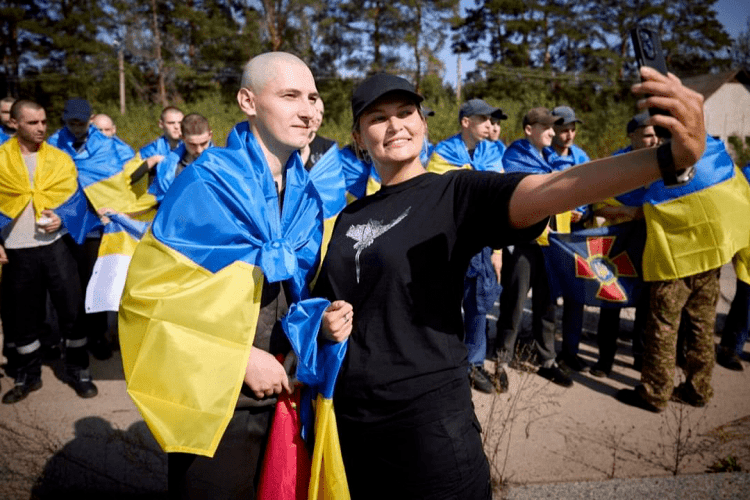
(435, 453)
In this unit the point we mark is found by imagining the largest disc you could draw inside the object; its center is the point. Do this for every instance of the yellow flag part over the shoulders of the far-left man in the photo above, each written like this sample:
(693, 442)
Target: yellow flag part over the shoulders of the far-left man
(55, 179)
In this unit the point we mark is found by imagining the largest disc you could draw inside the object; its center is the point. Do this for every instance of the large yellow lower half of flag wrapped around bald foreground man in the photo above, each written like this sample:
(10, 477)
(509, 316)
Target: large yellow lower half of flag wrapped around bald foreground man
(190, 334)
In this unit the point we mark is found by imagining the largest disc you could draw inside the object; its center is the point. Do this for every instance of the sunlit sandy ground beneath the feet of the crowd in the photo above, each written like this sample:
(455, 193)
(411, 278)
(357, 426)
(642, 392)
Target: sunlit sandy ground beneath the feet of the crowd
(54, 443)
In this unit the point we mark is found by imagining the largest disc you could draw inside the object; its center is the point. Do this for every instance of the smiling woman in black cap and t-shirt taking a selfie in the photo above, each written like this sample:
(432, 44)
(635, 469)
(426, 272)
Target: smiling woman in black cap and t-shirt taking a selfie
(395, 268)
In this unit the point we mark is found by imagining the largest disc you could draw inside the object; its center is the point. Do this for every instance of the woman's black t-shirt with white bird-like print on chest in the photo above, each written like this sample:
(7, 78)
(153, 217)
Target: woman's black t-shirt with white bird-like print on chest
(399, 257)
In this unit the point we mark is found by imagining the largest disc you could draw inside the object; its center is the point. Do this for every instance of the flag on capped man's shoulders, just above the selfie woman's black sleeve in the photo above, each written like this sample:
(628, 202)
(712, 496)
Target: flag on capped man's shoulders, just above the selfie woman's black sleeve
(452, 153)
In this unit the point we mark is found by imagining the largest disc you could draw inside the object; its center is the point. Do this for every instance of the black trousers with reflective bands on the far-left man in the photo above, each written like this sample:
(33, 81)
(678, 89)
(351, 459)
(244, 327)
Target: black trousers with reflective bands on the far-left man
(26, 279)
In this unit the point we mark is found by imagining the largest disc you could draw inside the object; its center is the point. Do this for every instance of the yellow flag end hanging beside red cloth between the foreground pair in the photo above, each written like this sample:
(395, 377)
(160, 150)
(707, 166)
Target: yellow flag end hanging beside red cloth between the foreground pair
(327, 477)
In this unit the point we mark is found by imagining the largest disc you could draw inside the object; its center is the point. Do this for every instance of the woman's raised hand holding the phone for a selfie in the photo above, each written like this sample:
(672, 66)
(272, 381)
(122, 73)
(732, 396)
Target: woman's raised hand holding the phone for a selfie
(686, 109)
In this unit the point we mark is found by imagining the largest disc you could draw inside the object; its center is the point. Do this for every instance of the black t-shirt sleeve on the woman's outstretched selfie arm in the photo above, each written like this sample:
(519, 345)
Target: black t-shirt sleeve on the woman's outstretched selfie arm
(481, 209)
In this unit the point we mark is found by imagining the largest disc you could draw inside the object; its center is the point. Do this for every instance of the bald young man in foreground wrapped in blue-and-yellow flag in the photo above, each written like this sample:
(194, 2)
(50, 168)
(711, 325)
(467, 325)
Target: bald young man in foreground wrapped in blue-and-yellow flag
(213, 278)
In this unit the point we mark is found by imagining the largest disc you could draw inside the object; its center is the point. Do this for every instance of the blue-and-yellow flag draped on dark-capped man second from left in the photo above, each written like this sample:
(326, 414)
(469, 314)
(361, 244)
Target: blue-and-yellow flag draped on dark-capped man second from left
(103, 173)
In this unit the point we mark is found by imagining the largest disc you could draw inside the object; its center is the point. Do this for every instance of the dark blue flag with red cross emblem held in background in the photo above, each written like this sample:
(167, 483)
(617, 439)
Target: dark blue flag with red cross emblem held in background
(598, 267)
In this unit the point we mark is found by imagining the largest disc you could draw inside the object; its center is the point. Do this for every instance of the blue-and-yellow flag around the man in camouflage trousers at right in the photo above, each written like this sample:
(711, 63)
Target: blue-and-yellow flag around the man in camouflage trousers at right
(698, 226)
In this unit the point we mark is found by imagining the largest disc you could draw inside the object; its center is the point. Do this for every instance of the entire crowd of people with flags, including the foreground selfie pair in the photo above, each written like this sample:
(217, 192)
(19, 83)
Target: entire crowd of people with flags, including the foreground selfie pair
(407, 245)
